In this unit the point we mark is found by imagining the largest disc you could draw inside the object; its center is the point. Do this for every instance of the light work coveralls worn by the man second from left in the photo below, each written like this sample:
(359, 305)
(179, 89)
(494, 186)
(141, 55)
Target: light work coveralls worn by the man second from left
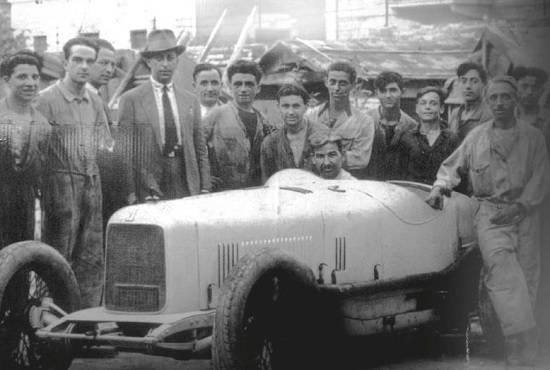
(72, 197)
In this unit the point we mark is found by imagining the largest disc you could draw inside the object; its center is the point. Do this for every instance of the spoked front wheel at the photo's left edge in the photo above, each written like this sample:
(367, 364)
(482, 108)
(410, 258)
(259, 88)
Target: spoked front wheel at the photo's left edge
(33, 275)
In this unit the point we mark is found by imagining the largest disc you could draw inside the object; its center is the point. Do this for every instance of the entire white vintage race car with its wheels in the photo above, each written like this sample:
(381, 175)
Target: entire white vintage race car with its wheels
(255, 278)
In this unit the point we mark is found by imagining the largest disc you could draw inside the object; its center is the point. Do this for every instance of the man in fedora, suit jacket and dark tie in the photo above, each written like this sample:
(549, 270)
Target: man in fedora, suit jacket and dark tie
(172, 159)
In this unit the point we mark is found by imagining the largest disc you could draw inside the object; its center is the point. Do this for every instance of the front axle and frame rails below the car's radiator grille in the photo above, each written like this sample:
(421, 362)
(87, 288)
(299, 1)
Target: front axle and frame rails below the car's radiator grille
(186, 335)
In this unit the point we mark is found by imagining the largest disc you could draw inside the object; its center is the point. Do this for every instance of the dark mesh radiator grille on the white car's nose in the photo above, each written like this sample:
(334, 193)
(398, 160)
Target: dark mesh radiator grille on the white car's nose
(135, 275)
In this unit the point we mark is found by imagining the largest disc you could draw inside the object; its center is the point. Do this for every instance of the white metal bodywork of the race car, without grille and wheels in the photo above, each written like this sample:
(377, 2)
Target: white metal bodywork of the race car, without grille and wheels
(357, 230)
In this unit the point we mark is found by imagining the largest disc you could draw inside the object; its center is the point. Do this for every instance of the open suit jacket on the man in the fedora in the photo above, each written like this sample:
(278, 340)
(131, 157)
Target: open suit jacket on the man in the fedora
(138, 117)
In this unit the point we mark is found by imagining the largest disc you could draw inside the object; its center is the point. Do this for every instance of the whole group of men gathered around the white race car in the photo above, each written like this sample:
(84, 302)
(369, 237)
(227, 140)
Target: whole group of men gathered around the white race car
(180, 144)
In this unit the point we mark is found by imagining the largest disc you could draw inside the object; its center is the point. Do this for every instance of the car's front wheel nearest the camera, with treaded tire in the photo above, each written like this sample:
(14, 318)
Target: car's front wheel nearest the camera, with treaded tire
(265, 318)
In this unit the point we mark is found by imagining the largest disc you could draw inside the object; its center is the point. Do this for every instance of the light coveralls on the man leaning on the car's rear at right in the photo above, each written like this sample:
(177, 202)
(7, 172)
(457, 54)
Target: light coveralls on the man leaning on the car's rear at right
(505, 167)
